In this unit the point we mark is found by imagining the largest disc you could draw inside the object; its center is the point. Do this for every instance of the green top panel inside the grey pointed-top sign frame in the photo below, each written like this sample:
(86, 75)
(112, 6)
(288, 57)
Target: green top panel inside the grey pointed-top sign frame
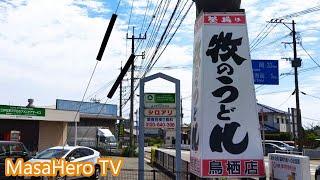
(160, 98)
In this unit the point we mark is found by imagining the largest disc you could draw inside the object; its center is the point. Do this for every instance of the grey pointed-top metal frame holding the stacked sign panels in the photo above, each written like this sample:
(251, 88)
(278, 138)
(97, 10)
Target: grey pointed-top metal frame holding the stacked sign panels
(142, 117)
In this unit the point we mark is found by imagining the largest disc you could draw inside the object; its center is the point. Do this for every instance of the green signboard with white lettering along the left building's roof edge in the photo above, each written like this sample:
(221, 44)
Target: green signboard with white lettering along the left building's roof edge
(18, 111)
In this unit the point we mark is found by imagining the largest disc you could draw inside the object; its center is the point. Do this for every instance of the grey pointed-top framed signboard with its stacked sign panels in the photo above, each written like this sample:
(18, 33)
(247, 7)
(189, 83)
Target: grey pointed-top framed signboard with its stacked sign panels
(160, 110)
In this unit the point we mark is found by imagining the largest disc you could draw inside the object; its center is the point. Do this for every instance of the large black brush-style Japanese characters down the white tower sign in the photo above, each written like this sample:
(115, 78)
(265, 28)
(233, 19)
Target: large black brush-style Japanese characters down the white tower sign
(220, 135)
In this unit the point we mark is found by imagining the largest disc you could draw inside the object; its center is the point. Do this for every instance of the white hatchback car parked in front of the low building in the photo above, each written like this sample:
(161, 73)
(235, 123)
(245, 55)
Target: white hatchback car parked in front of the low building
(71, 154)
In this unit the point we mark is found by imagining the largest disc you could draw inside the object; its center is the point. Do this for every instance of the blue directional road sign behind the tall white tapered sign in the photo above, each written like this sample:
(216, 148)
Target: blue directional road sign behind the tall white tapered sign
(265, 72)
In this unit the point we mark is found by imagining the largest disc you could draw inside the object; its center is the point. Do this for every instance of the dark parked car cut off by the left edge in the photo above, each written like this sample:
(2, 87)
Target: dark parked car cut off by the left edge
(13, 150)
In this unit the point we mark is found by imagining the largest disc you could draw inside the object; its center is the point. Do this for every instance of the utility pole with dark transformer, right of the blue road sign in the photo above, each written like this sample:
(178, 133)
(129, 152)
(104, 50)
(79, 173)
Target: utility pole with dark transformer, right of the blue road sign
(296, 62)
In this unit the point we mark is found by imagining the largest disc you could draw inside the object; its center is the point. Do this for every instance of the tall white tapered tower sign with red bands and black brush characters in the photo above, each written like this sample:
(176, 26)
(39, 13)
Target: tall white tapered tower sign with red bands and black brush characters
(225, 136)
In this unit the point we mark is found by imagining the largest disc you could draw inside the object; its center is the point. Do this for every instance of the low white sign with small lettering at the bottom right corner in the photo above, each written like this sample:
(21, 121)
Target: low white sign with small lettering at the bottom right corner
(286, 166)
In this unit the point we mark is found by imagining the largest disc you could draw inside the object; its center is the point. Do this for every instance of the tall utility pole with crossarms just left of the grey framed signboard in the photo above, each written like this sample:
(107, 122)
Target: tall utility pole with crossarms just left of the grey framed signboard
(132, 88)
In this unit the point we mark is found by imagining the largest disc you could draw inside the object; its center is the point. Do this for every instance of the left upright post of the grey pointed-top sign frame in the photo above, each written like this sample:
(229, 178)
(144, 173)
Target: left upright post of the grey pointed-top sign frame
(141, 132)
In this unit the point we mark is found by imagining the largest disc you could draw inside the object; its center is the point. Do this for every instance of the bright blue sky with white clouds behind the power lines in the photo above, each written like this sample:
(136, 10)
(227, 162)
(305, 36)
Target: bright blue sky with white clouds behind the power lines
(48, 50)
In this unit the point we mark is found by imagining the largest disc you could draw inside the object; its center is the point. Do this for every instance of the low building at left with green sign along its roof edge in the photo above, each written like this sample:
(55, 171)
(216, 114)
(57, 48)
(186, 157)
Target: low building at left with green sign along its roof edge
(37, 128)
